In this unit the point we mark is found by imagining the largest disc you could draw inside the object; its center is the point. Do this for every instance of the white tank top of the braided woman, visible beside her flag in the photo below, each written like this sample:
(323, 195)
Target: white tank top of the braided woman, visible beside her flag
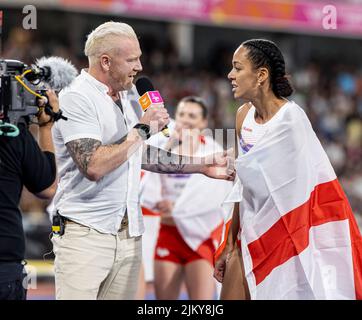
(251, 131)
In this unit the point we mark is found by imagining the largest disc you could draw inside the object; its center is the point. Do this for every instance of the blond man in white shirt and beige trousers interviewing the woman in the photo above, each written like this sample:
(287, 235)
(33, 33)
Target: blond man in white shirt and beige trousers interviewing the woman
(100, 151)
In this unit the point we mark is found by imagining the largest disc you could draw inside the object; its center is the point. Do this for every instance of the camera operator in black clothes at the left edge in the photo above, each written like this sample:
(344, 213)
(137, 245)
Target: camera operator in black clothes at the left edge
(23, 162)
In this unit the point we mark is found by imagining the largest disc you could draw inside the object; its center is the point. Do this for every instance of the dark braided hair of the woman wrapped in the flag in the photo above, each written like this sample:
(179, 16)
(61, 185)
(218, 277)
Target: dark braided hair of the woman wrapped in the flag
(265, 53)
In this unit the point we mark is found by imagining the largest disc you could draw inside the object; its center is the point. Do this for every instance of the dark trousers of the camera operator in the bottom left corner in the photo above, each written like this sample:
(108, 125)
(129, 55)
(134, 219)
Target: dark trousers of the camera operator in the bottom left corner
(12, 281)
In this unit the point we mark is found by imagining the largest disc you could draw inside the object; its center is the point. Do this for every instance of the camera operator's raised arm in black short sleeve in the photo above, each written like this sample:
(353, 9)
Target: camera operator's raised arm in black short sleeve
(39, 163)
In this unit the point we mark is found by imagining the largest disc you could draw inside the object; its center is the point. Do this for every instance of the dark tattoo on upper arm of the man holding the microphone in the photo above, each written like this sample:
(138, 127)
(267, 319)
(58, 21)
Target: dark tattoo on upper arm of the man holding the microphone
(81, 150)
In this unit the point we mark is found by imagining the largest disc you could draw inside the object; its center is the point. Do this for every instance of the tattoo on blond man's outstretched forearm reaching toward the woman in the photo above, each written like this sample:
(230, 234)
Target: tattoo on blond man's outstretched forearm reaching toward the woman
(162, 161)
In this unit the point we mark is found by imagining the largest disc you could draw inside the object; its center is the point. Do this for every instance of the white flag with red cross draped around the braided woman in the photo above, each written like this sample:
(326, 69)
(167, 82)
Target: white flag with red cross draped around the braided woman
(299, 237)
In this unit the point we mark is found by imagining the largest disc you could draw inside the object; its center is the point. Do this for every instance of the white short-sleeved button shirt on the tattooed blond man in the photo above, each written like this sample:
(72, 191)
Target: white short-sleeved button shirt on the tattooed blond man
(92, 113)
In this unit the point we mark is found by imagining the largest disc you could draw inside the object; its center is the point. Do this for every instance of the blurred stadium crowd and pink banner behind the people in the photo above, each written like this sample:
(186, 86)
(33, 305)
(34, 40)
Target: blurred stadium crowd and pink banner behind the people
(187, 49)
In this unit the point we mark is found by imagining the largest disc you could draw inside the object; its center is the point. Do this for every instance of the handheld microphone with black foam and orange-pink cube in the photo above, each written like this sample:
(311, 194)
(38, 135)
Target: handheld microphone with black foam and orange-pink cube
(148, 96)
